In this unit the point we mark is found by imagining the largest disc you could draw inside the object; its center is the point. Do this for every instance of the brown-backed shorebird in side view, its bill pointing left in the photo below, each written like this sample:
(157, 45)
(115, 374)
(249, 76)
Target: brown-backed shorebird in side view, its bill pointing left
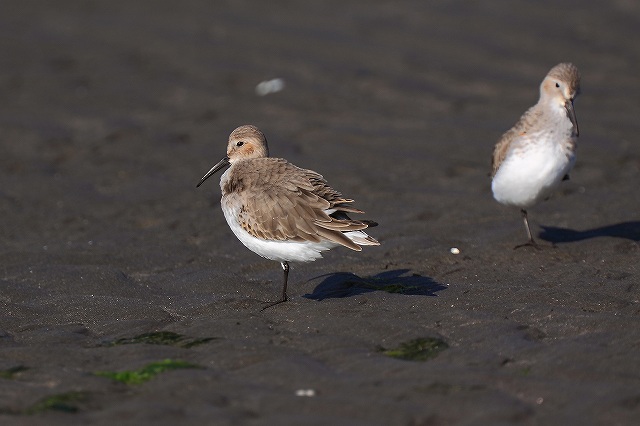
(279, 211)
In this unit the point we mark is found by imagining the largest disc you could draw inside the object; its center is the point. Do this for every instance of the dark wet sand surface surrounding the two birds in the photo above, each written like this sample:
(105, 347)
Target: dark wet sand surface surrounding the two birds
(112, 111)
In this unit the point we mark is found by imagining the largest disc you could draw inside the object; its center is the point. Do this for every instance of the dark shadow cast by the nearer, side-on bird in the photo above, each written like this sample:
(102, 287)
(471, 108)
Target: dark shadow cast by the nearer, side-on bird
(346, 284)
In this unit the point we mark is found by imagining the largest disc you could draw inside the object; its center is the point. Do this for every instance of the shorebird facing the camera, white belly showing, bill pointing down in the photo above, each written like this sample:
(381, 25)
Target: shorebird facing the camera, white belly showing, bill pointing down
(536, 154)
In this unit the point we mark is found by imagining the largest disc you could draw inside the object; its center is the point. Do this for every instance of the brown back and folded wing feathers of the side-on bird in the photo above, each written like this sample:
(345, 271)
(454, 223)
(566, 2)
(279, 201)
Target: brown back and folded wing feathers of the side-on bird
(289, 203)
